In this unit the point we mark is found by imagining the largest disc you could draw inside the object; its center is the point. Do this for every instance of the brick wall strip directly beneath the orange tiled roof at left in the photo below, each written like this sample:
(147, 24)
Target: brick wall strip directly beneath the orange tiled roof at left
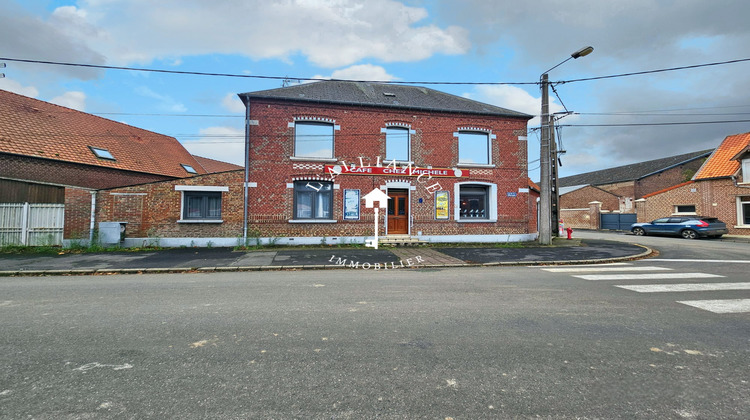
(58, 172)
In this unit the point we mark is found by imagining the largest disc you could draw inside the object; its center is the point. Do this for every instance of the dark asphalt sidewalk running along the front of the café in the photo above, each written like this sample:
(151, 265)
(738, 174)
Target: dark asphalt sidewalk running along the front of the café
(226, 259)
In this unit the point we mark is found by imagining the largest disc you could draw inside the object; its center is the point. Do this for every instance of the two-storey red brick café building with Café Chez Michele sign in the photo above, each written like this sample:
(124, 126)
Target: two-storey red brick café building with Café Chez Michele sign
(454, 169)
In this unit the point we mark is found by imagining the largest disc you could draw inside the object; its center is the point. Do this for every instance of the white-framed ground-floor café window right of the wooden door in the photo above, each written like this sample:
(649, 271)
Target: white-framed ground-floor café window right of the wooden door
(475, 202)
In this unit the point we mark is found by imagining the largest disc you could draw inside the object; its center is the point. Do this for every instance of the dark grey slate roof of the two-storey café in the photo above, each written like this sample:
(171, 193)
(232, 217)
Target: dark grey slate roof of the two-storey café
(381, 95)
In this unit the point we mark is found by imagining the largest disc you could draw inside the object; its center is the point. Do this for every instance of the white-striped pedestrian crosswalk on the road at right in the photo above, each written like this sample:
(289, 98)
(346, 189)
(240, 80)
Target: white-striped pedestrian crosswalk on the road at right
(652, 275)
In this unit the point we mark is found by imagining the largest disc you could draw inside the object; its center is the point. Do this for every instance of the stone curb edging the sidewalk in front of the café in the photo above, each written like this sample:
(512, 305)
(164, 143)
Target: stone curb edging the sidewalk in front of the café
(104, 271)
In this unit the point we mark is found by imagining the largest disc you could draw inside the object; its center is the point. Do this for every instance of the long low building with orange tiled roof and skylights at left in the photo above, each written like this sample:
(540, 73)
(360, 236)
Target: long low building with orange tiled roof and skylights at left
(55, 155)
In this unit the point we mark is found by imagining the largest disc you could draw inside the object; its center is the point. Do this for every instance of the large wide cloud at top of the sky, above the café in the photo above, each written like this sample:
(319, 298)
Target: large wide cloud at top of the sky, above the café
(330, 33)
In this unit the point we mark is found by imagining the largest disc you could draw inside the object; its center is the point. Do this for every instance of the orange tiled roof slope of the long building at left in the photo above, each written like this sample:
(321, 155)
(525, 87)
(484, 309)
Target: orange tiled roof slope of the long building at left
(31, 127)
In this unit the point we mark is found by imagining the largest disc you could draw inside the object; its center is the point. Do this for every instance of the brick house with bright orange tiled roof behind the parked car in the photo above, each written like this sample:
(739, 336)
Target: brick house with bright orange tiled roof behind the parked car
(720, 188)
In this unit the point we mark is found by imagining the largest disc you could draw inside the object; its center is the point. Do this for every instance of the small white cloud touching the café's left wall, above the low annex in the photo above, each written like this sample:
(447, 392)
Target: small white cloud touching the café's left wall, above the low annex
(221, 143)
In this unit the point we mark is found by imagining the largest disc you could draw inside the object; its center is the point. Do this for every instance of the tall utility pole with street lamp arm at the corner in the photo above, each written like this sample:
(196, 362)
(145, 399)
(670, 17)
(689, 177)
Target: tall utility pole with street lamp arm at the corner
(545, 202)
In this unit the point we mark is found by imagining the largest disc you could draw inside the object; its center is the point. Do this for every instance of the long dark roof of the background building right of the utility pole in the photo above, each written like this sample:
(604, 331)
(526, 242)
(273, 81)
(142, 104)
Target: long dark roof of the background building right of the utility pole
(630, 172)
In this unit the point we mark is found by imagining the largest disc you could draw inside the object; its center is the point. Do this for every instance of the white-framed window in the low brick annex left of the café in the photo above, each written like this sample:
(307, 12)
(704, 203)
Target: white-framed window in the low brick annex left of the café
(201, 204)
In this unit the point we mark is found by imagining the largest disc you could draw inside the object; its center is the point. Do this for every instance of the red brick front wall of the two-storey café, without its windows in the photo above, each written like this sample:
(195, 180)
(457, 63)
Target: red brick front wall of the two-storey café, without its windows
(272, 142)
